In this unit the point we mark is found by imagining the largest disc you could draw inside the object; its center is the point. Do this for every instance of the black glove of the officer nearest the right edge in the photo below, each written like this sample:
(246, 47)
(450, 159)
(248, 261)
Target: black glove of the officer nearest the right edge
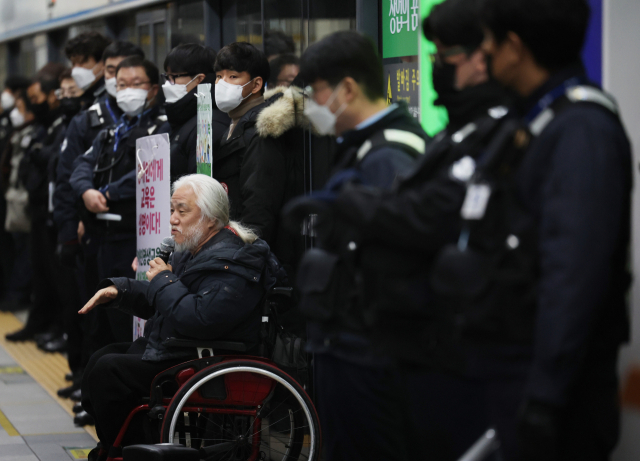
(538, 431)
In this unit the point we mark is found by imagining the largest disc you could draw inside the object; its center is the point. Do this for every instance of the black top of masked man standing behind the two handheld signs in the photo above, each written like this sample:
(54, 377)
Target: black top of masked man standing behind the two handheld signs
(183, 119)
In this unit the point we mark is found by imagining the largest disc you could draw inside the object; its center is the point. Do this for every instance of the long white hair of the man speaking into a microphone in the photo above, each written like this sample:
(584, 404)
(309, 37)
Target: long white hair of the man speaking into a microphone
(213, 201)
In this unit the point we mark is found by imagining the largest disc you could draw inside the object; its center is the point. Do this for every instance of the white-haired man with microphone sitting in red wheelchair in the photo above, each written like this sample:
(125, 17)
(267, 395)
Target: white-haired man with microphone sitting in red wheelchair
(214, 296)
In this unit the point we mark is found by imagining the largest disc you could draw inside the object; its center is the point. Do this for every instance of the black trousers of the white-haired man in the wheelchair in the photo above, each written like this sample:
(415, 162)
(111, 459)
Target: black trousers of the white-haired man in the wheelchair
(115, 380)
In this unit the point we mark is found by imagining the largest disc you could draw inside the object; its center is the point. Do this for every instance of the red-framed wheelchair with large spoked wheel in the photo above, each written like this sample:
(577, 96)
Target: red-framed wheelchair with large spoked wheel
(227, 406)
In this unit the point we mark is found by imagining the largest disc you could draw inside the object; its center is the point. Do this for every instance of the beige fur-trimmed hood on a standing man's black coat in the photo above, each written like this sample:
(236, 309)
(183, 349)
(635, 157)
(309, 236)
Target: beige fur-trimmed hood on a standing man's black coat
(284, 110)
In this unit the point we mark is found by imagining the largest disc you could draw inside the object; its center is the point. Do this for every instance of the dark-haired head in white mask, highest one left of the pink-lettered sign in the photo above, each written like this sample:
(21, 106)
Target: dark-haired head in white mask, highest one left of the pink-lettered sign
(85, 53)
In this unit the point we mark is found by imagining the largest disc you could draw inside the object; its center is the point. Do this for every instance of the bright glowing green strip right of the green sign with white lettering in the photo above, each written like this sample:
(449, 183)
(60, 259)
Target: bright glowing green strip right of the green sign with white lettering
(433, 118)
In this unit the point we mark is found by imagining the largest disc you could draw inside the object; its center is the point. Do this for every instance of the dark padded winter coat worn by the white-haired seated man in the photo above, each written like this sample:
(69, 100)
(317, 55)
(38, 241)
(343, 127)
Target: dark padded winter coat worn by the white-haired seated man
(213, 295)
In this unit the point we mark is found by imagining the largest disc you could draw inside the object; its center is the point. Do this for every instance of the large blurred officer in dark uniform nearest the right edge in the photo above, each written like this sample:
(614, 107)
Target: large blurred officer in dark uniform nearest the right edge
(548, 232)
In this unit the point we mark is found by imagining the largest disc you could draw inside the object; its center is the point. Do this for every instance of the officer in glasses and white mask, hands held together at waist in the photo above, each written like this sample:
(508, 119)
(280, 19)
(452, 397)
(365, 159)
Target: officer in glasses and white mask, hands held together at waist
(105, 178)
